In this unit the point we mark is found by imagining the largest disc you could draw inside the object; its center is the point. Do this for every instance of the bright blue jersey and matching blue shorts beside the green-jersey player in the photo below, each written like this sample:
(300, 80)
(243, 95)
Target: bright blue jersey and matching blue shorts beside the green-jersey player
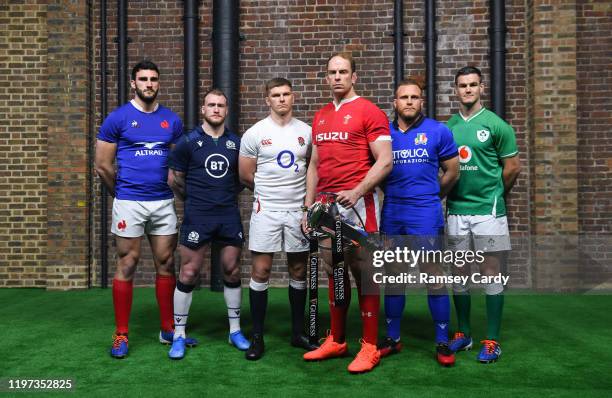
(412, 188)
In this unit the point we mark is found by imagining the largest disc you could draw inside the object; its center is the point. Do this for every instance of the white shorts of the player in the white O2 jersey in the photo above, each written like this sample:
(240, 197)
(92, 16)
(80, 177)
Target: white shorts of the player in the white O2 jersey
(273, 231)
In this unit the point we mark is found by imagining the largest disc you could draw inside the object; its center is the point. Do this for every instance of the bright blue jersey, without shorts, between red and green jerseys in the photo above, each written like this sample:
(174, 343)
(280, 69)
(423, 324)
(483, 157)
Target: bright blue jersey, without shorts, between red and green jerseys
(417, 154)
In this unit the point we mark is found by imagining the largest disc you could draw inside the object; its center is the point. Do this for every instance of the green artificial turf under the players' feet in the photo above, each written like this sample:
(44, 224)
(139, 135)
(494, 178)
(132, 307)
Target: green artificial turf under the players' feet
(553, 345)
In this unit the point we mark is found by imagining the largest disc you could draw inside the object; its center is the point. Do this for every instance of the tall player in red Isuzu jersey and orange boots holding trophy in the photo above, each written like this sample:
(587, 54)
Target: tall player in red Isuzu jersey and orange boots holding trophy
(351, 155)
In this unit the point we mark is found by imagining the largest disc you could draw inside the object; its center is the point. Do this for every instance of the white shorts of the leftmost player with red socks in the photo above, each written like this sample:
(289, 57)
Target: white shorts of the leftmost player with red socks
(133, 218)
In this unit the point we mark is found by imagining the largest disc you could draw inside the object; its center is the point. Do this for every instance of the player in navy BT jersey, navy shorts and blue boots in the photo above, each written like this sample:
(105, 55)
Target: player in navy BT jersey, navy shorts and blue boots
(204, 172)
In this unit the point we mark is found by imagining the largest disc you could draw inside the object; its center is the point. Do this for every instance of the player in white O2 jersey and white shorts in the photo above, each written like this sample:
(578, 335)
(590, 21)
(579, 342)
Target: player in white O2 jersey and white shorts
(273, 160)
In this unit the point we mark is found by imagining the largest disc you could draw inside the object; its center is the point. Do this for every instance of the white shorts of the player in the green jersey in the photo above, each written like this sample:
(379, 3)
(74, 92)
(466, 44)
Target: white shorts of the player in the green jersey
(489, 233)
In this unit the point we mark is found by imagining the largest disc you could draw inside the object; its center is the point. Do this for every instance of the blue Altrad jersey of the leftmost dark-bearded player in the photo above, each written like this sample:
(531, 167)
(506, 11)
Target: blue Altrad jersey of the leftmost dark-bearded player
(143, 143)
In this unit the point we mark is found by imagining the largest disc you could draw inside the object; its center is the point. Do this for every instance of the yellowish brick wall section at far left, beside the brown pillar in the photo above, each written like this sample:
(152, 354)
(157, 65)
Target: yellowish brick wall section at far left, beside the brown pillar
(23, 144)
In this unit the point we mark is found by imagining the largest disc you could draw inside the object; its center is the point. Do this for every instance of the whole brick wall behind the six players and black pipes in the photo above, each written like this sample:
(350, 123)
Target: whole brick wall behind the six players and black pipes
(545, 60)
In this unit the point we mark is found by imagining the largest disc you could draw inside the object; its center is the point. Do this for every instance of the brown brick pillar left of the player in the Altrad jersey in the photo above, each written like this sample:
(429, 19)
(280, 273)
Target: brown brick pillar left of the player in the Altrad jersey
(68, 145)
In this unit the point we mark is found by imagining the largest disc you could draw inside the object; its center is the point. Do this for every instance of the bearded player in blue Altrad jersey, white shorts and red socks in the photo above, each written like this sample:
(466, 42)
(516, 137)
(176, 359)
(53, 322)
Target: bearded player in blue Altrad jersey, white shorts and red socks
(140, 135)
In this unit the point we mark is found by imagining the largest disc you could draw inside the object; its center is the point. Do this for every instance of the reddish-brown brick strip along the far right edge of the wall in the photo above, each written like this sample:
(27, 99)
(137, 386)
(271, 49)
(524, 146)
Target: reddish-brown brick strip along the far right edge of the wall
(594, 111)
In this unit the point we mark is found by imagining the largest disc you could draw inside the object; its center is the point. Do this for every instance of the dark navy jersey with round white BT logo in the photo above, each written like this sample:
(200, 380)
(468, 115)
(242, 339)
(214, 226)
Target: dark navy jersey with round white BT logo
(211, 176)
